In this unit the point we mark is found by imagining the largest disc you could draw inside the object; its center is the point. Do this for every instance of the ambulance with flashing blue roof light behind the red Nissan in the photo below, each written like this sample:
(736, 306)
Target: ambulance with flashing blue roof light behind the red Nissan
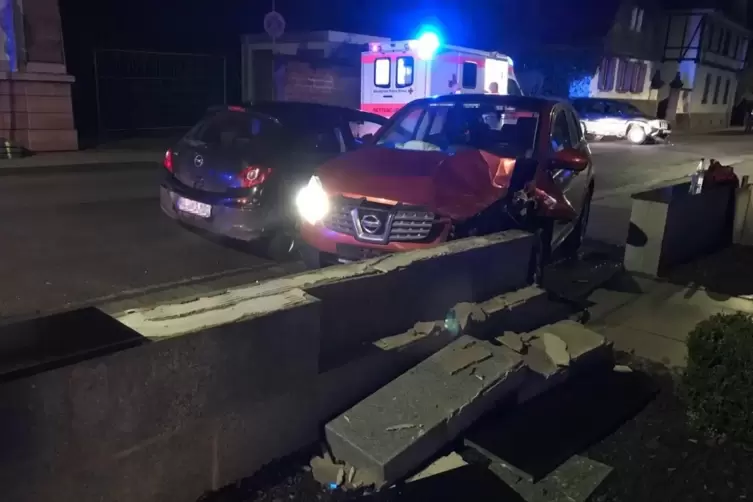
(395, 73)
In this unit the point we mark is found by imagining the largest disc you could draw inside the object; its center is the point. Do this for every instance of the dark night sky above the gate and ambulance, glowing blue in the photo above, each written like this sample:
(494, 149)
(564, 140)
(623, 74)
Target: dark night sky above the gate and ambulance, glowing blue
(215, 25)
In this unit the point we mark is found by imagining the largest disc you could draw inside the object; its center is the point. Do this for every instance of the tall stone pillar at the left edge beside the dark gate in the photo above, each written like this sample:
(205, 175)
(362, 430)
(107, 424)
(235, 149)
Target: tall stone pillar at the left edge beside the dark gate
(35, 89)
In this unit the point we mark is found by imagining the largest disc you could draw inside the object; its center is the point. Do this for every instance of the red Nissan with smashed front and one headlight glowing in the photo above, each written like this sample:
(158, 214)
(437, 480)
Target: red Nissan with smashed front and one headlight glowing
(450, 167)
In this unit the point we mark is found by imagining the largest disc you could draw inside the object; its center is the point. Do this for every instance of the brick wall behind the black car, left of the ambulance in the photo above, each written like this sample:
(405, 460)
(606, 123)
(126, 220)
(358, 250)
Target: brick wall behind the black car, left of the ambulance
(332, 84)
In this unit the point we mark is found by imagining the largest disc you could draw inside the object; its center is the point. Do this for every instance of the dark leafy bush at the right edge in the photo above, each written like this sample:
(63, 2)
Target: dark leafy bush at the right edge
(718, 382)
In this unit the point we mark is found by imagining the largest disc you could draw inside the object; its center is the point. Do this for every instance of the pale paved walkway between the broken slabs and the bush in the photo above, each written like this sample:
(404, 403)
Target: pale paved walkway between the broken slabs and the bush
(652, 317)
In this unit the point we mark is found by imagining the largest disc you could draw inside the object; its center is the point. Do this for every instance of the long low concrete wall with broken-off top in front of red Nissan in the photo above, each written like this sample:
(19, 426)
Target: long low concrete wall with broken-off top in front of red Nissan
(233, 380)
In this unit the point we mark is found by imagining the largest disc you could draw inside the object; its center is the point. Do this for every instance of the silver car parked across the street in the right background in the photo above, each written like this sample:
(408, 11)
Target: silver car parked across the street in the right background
(619, 119)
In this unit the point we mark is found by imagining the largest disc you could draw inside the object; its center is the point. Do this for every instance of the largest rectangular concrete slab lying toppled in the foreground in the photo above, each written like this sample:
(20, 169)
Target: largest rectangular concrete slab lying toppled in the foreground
(431, 405)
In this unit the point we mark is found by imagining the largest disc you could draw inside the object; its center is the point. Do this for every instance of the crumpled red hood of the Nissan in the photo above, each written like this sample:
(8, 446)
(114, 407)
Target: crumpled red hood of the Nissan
(456, 185)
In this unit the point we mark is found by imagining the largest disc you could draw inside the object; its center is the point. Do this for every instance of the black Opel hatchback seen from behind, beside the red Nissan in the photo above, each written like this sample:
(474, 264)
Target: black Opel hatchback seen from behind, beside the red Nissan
(236, 172)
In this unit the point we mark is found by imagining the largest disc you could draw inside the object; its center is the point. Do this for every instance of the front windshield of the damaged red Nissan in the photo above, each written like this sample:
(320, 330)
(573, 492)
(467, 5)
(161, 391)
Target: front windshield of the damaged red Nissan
(446, 126)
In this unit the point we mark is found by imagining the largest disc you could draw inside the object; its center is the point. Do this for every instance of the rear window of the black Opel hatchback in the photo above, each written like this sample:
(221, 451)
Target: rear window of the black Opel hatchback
(235, 129)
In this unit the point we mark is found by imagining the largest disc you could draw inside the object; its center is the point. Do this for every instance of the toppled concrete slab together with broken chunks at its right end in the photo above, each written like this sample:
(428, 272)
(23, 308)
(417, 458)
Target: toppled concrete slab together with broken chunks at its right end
(398, 428)
